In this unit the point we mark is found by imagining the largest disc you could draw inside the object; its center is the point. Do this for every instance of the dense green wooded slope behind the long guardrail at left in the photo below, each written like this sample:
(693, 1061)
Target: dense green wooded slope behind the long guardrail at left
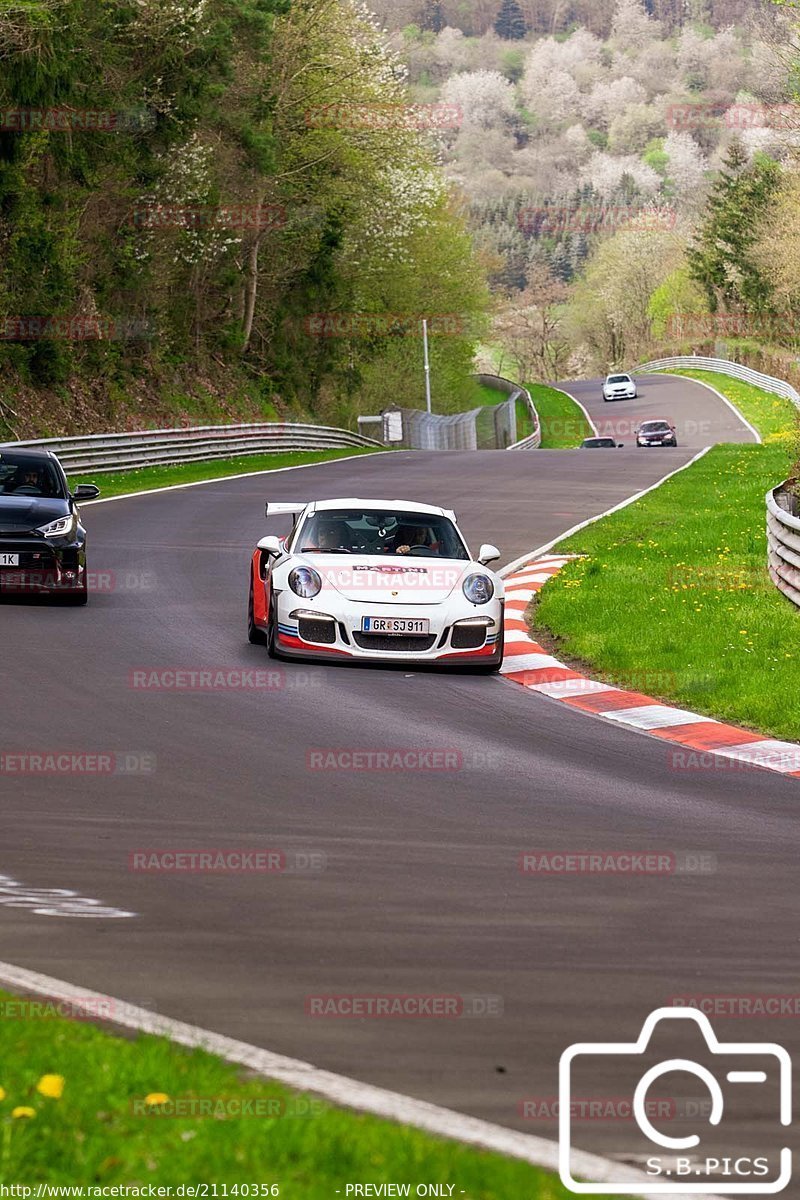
(188, 188)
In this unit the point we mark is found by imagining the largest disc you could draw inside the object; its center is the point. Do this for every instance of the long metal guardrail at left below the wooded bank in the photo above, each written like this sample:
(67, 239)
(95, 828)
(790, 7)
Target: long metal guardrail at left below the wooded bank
(152, 448)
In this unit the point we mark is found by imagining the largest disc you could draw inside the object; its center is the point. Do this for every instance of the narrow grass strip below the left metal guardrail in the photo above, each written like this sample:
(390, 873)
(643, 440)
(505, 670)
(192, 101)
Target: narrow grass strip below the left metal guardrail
(121, 483)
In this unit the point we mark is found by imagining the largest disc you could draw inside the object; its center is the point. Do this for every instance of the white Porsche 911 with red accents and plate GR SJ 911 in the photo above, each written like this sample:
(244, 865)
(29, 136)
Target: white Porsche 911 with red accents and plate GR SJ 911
(376, 580)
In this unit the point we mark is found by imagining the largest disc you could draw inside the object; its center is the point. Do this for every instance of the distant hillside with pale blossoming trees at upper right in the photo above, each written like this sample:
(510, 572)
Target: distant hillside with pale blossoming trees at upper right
(629, 170)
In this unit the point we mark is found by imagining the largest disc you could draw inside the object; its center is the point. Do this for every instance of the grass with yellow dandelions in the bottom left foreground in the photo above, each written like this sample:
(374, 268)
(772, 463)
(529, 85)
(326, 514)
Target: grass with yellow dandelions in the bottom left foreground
(101, 1132)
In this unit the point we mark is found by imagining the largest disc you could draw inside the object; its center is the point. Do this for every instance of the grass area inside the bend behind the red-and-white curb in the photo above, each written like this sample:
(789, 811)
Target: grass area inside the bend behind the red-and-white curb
(673, 596)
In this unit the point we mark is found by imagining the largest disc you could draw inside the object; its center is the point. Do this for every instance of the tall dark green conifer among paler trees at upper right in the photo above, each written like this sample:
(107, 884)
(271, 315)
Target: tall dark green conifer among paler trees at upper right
(721, 259)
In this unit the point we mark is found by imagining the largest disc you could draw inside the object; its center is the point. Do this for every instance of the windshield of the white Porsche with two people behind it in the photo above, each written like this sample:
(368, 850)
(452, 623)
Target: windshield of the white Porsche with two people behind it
(372, 532)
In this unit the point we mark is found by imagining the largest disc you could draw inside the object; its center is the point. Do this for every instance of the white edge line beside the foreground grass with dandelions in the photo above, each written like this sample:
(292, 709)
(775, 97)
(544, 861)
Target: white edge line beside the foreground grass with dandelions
(338, 1089)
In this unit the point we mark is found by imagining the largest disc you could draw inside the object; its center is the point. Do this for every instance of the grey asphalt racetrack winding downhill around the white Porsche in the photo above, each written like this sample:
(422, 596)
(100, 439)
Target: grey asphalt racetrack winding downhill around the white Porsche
(422, 891)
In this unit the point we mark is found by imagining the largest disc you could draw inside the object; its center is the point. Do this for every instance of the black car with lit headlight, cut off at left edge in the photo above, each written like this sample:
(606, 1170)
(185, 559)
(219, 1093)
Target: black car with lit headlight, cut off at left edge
(43, 543)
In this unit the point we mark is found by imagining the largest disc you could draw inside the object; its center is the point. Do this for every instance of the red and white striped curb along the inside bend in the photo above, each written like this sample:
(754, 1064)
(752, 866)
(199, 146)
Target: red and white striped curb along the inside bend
(530, 665)
